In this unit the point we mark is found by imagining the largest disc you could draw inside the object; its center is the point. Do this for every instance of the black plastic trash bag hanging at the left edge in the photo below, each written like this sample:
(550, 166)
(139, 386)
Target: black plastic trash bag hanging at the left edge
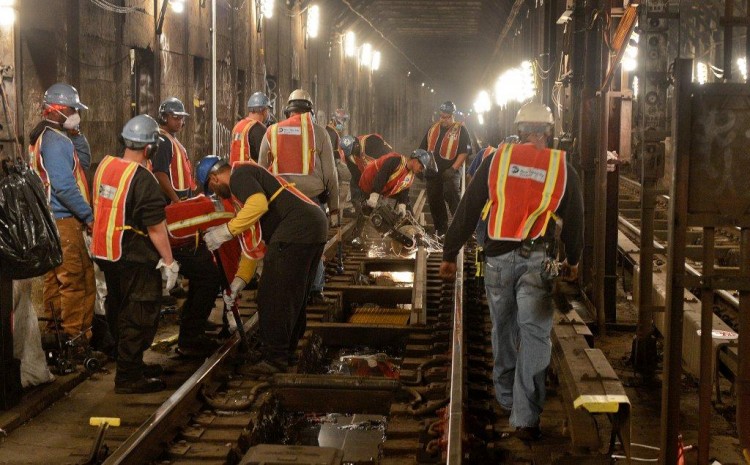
(29, 241)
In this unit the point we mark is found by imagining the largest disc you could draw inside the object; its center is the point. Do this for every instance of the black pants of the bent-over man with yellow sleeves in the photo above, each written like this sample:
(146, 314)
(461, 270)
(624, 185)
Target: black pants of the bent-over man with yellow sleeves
(288, 274)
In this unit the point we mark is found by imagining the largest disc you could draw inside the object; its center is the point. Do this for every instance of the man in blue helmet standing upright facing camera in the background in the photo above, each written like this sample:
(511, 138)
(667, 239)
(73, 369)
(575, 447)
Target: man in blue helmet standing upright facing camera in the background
(449, 141)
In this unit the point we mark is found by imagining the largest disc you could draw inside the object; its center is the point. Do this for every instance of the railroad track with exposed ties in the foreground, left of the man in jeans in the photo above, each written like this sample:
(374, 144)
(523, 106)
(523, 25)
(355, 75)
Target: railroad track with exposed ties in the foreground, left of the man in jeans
(390, 389)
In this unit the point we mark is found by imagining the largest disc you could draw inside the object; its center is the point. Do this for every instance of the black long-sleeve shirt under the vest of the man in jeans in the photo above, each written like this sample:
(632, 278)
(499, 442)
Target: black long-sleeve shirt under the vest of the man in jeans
(470, 209)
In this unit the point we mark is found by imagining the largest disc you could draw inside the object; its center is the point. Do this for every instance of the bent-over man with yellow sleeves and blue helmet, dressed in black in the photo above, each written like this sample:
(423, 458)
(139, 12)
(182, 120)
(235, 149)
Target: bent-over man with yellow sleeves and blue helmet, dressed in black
(294, 229)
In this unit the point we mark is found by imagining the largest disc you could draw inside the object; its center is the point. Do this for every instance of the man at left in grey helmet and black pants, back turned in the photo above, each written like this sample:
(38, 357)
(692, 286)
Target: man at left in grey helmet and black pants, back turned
(131, 243)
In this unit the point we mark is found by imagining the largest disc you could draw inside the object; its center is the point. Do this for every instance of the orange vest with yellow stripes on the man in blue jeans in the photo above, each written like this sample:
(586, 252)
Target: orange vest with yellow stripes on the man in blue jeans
(526, 186)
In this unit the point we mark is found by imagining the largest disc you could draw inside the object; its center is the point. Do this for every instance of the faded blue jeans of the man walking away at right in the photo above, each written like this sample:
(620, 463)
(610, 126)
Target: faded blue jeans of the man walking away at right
(520, 304)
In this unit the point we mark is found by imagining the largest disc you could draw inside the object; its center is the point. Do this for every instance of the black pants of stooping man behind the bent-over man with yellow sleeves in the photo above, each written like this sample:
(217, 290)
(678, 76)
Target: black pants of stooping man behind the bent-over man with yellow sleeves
(198, 266)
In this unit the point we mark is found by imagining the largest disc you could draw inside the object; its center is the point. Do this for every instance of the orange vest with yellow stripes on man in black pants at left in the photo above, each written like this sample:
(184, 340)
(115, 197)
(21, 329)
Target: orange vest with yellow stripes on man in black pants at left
(111, 186)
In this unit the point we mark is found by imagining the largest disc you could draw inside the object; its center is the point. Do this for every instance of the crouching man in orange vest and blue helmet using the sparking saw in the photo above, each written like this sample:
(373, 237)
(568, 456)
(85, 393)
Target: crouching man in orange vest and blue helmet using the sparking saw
(391, 176)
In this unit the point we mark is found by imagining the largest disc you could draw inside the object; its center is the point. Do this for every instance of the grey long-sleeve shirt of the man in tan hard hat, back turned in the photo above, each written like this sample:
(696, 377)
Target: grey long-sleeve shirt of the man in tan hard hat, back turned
(324, 177)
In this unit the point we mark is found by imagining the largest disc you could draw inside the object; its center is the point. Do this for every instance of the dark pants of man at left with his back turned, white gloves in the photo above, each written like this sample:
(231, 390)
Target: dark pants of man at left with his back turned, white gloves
(133, 303)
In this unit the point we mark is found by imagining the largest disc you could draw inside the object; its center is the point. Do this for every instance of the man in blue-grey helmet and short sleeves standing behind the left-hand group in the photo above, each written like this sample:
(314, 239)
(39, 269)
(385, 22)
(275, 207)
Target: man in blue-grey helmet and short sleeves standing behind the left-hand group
(171, 165)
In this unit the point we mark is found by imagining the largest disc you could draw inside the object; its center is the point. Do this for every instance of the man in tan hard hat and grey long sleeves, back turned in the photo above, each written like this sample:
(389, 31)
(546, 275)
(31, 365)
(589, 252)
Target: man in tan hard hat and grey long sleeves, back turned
(301, 152)
